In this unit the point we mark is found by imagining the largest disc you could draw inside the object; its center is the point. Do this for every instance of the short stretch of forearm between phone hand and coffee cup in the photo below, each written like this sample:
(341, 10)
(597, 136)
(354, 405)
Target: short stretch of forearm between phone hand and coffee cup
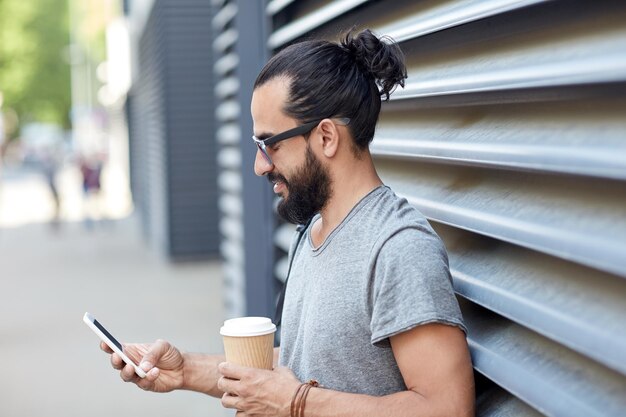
(200, 373)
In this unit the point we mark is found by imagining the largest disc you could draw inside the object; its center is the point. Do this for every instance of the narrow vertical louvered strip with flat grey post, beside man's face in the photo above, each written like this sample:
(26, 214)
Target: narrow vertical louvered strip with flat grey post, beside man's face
(245, 201)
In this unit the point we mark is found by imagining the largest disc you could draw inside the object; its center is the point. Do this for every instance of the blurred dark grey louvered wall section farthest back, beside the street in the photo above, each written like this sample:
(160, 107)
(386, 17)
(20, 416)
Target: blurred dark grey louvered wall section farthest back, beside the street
(173, 167)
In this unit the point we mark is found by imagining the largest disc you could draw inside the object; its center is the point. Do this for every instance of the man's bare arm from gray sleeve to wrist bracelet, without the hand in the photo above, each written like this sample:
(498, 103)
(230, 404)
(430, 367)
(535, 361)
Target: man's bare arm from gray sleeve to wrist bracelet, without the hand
(436, 368)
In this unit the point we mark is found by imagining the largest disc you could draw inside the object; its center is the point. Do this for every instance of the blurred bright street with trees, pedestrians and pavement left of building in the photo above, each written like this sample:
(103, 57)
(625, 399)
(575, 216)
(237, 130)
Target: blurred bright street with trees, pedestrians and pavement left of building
(70, 239)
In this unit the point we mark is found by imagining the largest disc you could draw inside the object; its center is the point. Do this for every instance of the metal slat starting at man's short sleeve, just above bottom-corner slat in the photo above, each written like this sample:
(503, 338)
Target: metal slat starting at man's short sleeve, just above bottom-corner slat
(542, 293)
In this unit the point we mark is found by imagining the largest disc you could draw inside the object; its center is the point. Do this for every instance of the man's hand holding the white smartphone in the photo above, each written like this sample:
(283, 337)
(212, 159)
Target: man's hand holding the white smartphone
(162, 363)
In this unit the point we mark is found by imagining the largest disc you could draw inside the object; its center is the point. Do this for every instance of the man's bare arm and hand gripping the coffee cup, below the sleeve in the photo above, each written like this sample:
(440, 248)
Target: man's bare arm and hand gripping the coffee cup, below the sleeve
(433, 359)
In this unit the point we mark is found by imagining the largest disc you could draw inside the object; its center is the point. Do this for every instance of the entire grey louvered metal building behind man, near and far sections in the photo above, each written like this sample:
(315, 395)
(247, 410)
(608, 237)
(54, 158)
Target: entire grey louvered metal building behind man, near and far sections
(509, 136)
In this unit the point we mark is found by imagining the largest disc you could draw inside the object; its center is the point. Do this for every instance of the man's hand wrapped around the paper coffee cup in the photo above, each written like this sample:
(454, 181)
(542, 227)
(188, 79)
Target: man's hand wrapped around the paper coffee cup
(257, 392)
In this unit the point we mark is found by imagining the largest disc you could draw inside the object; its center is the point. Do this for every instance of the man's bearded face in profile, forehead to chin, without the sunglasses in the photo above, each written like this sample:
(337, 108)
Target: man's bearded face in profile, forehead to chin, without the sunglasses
(297, 174)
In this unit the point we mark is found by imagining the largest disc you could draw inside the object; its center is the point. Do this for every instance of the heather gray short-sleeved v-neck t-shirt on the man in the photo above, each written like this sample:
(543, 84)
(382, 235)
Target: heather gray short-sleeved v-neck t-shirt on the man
(381, 272)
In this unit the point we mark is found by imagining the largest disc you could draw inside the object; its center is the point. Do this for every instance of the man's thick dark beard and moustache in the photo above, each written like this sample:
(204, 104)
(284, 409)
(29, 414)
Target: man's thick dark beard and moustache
(308, 190)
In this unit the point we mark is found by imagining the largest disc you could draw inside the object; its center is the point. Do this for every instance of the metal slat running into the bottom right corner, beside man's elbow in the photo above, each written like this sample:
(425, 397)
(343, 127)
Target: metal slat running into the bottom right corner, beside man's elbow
(557, 381)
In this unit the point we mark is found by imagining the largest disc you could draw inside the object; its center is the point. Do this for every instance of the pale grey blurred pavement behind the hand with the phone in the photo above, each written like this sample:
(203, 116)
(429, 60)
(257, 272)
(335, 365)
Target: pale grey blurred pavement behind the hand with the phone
(52, 365)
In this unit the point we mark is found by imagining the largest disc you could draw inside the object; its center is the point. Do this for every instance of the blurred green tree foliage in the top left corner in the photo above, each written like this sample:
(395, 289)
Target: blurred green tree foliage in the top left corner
(34, 69)
